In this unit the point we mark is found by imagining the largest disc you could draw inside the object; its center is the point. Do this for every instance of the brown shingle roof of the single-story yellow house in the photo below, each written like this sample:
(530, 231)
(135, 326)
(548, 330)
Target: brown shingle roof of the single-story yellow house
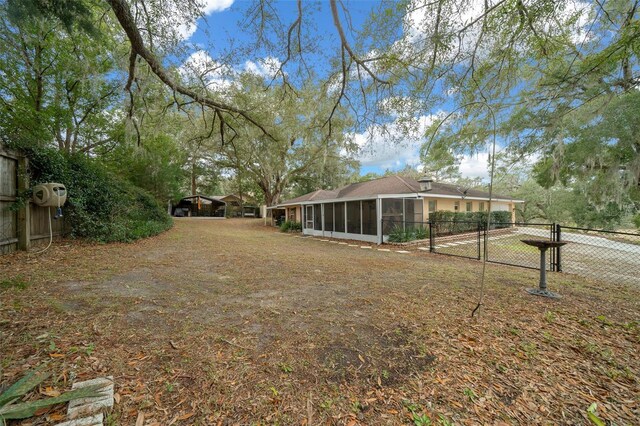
(391, 185)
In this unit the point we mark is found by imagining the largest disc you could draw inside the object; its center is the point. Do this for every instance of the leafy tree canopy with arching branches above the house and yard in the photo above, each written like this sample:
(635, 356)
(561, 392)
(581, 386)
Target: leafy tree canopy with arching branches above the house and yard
(560, 79)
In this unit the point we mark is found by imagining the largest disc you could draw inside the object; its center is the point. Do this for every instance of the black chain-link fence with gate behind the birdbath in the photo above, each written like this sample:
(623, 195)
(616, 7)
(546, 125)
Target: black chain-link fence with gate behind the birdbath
(589, 252)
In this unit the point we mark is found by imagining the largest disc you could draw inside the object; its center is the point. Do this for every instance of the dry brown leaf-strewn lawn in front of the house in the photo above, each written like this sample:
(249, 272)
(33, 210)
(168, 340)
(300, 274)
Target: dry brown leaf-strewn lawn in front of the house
(230, 322)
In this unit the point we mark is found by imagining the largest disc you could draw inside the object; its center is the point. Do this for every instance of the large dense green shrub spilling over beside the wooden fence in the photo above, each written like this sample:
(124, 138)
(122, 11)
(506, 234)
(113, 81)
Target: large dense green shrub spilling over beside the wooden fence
(100, 206)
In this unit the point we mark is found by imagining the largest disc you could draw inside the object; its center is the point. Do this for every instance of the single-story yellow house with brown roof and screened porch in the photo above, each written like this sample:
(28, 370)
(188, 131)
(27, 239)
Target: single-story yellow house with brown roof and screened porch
(356, 211)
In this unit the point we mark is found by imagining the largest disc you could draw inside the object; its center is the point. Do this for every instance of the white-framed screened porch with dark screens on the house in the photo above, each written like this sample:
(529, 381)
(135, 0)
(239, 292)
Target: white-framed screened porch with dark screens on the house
(370, 219)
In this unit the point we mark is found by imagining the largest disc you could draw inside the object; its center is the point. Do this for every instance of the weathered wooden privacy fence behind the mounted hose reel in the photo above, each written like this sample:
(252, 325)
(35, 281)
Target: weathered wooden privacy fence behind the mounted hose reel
(26, 227)
